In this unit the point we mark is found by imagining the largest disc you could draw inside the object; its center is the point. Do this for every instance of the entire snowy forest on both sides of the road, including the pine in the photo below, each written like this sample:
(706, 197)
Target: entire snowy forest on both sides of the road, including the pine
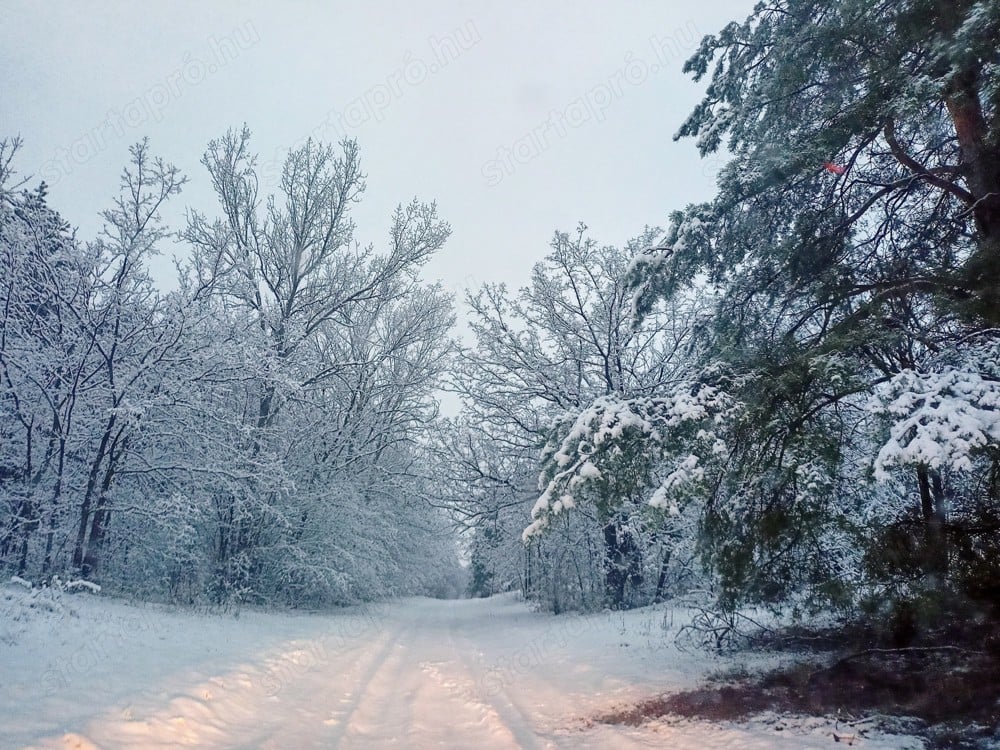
(787, 397)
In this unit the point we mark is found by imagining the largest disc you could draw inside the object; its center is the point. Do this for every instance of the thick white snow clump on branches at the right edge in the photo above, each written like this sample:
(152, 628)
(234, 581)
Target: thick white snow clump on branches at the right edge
(942, 419)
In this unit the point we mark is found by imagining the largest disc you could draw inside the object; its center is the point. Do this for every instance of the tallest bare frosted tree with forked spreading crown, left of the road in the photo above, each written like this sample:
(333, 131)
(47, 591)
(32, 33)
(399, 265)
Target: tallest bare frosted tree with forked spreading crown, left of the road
(349, 352)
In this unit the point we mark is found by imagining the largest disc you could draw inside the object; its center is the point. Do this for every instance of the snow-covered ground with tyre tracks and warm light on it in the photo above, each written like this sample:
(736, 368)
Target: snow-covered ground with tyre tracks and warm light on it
(84, 671)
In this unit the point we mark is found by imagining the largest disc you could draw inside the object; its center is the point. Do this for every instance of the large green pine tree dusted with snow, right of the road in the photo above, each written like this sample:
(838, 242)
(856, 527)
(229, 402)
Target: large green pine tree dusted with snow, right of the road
(855, 238)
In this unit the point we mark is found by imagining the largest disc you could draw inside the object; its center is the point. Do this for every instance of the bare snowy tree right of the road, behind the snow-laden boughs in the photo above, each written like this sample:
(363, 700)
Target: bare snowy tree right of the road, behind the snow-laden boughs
(539, 358)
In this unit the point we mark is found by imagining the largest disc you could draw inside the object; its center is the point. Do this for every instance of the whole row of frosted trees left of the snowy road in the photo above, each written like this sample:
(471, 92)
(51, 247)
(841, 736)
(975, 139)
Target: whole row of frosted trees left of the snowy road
(254, 435)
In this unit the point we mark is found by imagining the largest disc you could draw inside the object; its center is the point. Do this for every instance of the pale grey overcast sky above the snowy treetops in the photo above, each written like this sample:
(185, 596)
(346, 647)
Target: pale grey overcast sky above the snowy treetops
(518, 118)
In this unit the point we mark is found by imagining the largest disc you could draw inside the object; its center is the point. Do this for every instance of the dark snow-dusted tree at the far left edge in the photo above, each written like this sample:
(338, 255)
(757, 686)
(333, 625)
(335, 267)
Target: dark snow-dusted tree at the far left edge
(39, 366)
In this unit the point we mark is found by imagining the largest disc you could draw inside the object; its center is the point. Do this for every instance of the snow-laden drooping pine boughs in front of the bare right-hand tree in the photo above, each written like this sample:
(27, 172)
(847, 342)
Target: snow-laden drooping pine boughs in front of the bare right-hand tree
(618, 448)
